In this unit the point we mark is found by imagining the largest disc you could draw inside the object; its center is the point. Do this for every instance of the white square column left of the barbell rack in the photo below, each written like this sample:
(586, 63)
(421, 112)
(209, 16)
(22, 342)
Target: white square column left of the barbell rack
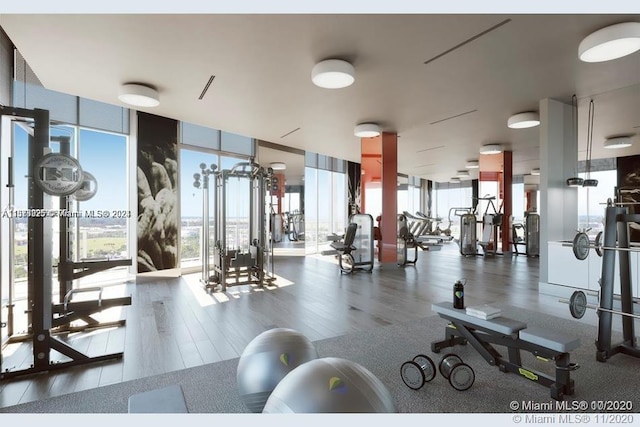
(558, 161)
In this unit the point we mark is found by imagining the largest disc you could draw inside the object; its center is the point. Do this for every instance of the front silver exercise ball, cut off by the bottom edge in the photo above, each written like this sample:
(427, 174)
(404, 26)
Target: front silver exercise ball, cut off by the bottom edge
(330, 385)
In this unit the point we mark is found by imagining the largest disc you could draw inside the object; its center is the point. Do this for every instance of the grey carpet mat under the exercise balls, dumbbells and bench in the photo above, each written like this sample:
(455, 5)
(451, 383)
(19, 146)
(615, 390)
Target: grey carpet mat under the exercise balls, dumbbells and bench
(212, 388)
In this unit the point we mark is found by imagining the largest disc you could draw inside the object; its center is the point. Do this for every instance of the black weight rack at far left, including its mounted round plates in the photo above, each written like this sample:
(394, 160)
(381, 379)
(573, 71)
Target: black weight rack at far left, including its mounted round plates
(56, 174)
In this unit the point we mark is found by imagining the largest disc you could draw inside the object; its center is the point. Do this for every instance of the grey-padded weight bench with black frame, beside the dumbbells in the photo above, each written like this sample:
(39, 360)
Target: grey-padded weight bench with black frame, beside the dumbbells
(516, 337)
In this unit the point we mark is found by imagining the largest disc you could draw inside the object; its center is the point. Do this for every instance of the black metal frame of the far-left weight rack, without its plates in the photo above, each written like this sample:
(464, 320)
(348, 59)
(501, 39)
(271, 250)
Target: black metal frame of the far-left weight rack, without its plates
(44, 315)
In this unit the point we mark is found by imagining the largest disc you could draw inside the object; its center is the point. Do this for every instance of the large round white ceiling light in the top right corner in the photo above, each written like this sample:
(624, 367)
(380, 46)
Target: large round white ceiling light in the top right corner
(611, 42)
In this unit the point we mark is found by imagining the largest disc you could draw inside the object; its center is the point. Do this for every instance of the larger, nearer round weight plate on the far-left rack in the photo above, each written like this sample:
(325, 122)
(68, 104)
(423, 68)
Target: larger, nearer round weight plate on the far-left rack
(58, 174)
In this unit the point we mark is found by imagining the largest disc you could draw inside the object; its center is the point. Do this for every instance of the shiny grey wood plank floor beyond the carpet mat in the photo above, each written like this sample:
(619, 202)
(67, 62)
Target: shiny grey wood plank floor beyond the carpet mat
(174, 324)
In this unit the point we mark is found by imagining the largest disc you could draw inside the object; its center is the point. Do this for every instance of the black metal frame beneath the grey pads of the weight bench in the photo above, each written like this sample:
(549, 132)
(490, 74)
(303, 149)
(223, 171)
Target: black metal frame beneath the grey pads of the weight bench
(460, 332)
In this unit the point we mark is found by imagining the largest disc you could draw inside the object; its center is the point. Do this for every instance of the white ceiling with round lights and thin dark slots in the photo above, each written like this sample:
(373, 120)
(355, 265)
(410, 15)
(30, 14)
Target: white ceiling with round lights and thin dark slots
(262, 86)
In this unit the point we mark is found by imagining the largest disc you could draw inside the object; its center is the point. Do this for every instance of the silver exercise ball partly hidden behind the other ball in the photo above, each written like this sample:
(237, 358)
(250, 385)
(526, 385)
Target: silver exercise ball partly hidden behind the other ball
(266, 360)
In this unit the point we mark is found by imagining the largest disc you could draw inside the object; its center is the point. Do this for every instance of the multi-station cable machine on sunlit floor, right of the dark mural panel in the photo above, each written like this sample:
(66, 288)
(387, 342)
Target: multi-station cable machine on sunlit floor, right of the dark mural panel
(247, 259)
